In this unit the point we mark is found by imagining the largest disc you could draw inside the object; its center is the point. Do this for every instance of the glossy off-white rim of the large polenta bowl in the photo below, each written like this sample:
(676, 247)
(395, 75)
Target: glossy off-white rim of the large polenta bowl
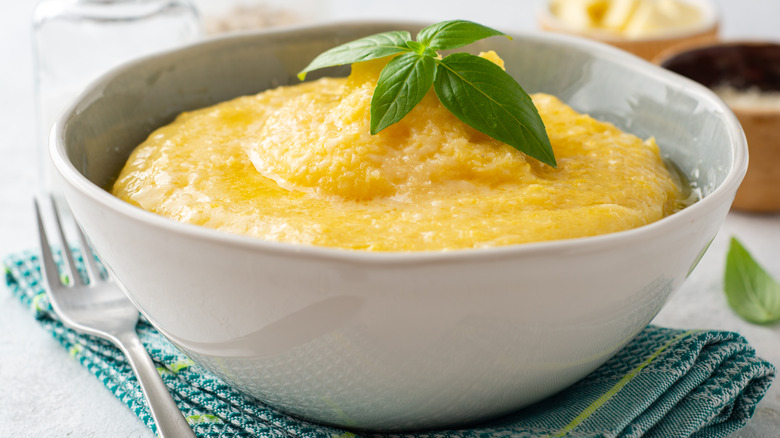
(587, 244)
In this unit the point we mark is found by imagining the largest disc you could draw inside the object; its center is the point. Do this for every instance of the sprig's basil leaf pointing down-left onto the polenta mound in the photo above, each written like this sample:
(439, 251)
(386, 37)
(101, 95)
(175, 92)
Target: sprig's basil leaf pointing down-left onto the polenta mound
(401, 86)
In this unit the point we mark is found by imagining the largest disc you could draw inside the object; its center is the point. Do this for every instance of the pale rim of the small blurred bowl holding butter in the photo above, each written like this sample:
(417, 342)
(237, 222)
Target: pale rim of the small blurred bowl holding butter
(710, 22)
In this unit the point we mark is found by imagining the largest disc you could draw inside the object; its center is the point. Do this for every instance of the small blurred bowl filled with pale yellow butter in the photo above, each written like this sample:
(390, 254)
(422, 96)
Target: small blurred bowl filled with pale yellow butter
(642, 27)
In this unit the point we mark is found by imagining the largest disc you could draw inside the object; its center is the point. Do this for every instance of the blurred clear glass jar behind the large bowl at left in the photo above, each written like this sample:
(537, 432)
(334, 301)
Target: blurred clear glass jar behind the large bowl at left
(75, 41)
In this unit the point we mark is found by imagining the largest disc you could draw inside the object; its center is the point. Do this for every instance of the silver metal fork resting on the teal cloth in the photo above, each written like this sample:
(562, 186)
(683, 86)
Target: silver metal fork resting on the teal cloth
(98, 307)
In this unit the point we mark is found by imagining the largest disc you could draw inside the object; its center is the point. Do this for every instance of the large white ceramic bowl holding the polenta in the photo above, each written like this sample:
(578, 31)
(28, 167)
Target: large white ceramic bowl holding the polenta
(396, 341)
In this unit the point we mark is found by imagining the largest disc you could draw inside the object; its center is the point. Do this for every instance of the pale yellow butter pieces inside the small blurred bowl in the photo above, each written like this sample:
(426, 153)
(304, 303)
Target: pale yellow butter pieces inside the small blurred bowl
(628, 18)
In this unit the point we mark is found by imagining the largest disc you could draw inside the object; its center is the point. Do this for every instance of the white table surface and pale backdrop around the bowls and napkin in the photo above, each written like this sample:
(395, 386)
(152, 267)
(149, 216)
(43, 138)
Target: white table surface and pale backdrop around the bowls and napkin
(45, 393)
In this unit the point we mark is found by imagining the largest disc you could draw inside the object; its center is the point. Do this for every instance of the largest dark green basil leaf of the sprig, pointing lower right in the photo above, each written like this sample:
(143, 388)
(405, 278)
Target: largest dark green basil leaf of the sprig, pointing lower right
(488, 99)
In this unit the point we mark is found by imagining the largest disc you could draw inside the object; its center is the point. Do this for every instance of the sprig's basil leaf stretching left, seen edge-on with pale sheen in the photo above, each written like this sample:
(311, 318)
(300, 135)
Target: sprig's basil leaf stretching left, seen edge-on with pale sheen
(363, 49)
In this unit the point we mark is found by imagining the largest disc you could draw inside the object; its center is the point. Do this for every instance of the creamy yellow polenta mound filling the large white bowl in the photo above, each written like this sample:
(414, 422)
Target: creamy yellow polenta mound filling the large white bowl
(297, 164)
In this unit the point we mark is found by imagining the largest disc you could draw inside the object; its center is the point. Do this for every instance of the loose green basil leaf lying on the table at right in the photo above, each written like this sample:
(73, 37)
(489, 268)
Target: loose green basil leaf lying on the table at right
(751, 292)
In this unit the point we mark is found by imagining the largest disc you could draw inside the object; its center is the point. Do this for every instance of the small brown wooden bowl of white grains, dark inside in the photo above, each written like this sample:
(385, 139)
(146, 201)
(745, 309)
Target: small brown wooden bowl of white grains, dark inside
(746, 75)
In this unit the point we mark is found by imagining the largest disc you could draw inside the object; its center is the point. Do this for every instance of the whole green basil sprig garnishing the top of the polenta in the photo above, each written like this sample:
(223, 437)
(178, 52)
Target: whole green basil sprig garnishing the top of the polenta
(475, 90)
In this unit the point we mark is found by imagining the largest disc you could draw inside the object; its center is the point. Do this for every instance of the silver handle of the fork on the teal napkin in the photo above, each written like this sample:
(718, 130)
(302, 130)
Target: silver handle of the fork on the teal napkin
(169, 419)
